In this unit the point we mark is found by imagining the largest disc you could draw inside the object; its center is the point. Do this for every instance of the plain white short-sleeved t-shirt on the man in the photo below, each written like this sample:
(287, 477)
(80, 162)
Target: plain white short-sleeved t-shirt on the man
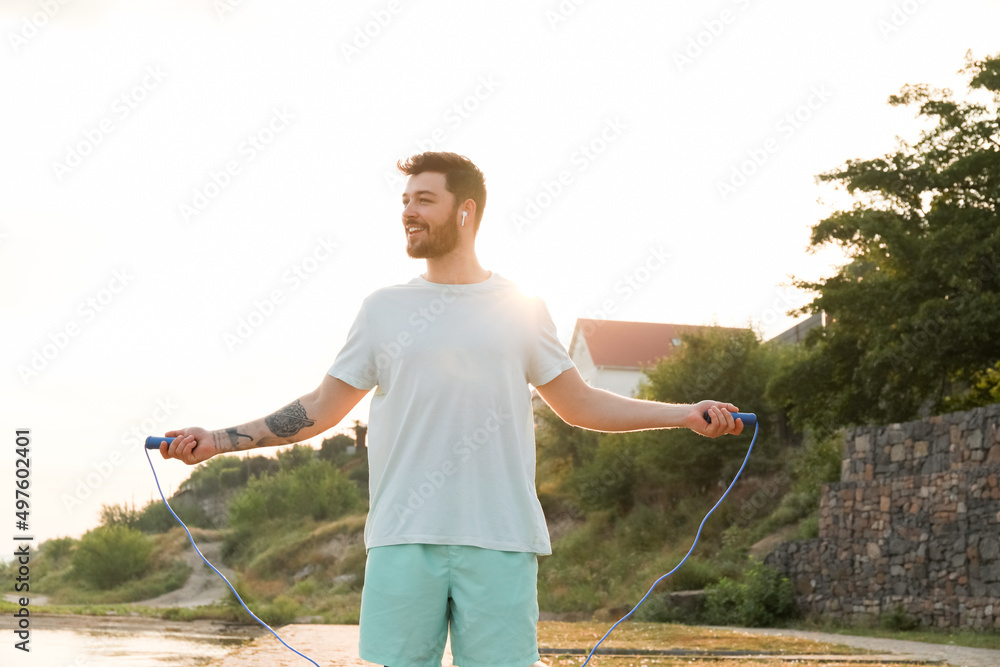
(451, 442)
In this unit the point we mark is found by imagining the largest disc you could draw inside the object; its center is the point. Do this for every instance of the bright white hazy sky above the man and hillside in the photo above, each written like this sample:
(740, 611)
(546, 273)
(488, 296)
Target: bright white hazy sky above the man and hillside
(198, 194)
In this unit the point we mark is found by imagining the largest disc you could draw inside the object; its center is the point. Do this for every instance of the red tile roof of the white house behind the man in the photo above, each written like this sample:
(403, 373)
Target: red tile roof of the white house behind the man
(631, 344)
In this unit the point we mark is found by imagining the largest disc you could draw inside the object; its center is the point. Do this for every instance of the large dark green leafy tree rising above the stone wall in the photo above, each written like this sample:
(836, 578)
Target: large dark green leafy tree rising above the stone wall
(913, 316)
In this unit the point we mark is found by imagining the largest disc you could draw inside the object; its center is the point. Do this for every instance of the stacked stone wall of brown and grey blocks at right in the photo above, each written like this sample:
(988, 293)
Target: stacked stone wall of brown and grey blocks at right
(913, 523)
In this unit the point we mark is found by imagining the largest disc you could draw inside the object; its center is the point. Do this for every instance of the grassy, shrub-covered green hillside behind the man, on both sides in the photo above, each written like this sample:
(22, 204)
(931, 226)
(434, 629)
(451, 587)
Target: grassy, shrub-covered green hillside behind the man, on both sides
(622, 508)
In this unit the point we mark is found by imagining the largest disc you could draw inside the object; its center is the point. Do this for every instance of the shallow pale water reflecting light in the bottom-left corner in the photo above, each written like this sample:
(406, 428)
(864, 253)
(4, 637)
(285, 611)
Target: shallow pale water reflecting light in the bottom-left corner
(137, 648)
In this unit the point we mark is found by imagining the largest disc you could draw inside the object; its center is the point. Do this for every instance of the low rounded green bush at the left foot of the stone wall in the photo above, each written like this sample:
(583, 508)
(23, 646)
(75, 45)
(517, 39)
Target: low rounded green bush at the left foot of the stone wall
(763, 598)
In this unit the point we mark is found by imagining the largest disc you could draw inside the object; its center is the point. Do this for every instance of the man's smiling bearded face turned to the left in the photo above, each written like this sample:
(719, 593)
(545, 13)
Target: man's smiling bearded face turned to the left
(430, 216)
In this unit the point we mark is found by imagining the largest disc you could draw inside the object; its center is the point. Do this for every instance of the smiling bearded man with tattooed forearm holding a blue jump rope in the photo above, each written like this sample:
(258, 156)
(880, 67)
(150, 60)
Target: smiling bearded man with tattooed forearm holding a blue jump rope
(454, 526)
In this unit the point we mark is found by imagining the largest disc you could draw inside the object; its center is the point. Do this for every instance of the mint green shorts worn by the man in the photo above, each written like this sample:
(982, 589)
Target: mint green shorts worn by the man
(415, 593)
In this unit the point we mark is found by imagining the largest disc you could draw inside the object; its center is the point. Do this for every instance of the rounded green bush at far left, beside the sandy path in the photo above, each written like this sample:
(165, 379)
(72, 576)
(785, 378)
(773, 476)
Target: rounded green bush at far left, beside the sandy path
(111, 555)
